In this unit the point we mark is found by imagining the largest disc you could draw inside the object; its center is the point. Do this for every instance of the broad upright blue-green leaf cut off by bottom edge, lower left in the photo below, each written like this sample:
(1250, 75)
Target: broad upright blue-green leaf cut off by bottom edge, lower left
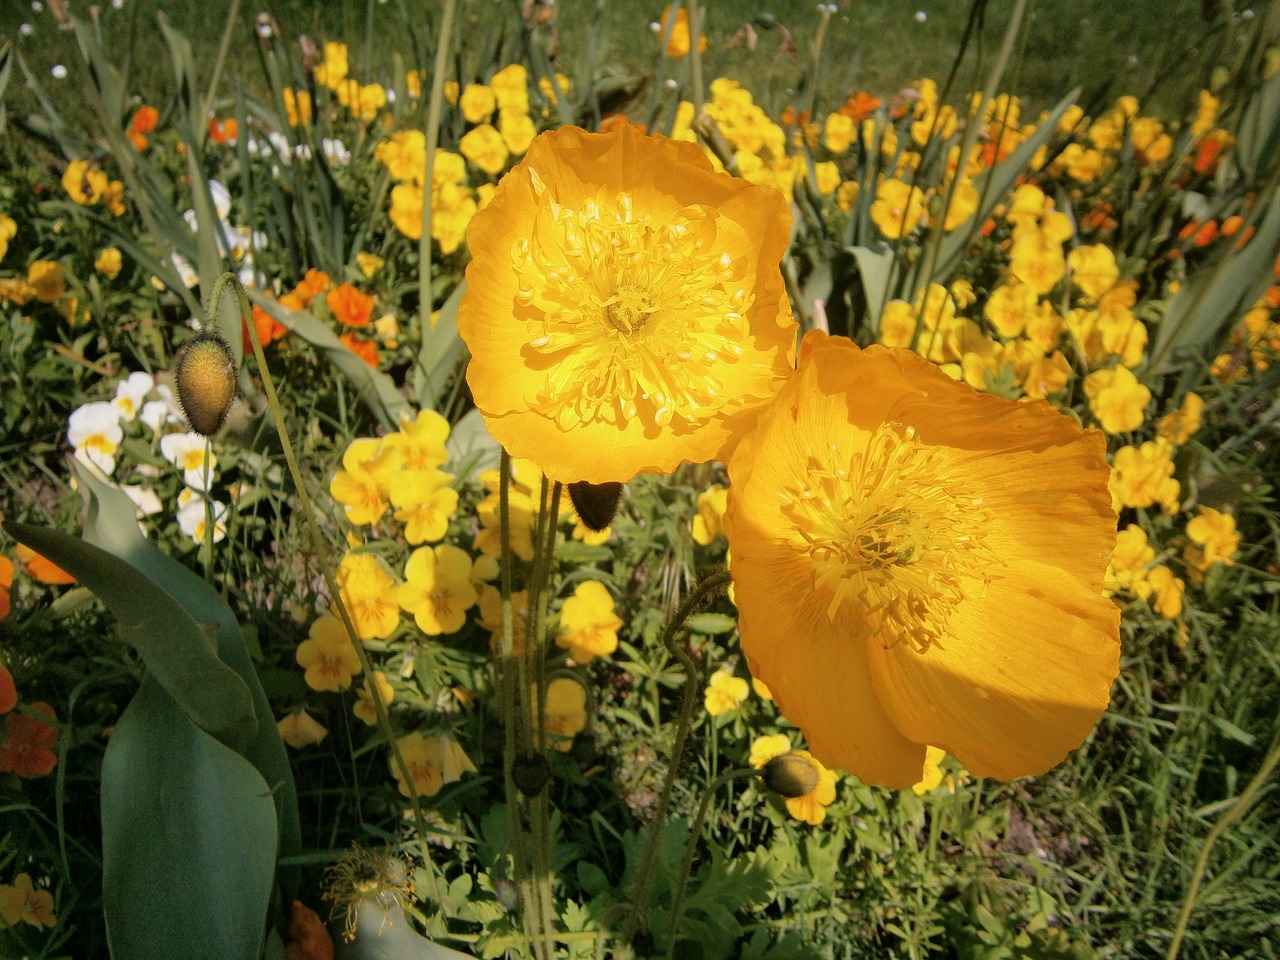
(189, 839)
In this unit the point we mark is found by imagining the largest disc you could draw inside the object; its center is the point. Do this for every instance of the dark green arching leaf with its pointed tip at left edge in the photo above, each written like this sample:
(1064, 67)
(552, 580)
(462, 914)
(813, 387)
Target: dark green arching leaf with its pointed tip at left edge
(177, 651)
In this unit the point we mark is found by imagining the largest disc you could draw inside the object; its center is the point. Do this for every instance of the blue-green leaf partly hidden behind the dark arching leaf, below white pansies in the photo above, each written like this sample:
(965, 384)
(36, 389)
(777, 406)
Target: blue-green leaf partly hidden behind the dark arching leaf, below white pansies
(111, 524)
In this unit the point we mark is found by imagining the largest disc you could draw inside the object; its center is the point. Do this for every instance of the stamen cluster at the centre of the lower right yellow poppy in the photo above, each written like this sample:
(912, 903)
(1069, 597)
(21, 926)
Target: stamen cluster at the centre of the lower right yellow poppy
(895, 546)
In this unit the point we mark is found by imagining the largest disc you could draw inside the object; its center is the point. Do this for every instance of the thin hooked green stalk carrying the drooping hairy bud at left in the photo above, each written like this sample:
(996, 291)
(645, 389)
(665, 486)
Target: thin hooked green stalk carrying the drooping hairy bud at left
(322, 551)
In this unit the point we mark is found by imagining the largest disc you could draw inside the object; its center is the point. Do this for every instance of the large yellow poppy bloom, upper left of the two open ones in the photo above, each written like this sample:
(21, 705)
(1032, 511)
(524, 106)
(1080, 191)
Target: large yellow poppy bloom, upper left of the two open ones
(625, 310)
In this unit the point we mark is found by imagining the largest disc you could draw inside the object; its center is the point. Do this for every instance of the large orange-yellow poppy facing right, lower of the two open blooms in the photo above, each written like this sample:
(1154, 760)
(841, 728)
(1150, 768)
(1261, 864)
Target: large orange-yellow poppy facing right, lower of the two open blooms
(918, 564)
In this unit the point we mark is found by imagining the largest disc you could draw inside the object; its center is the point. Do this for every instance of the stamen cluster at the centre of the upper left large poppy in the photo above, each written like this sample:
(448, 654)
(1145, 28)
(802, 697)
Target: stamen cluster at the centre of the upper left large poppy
(633, 317)
